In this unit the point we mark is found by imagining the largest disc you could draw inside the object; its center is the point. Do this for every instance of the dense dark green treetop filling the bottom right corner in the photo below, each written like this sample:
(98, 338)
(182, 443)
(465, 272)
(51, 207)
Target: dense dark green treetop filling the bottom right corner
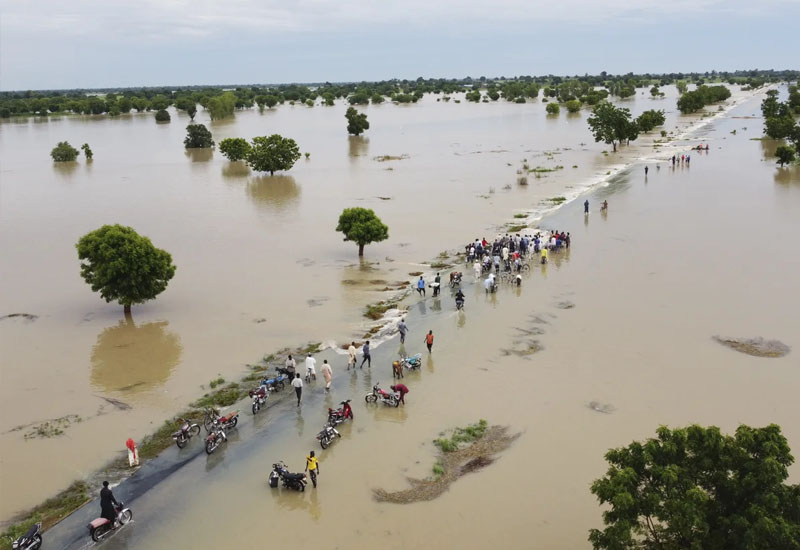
(696, 488)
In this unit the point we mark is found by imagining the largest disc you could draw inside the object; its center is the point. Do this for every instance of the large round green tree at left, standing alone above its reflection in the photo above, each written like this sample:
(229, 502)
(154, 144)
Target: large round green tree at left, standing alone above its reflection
(124, 266)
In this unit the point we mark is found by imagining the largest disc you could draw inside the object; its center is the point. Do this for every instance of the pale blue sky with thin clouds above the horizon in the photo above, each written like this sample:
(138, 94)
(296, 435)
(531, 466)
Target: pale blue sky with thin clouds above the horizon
(64, 44)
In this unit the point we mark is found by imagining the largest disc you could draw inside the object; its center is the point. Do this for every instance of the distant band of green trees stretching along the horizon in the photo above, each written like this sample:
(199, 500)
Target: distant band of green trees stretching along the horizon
(222, 101)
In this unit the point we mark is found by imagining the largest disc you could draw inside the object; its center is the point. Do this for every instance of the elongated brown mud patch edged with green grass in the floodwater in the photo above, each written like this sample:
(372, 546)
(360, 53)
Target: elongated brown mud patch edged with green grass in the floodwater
(452, 465)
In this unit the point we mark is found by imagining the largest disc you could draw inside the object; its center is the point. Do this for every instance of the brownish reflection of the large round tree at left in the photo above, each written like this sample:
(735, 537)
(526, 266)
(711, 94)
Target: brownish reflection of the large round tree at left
(128, 357)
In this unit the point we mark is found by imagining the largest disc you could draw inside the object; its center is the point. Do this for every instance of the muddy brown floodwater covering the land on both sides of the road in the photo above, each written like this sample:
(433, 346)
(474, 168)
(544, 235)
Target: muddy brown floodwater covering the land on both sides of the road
(688, 254)
